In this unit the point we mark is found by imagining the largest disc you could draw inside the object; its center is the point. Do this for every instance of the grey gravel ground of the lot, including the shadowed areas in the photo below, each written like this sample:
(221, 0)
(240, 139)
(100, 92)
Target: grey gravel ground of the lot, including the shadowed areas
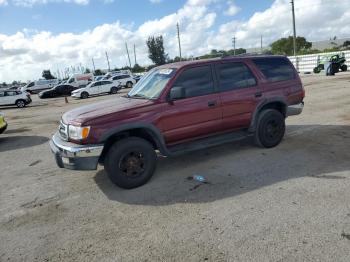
(289, 203)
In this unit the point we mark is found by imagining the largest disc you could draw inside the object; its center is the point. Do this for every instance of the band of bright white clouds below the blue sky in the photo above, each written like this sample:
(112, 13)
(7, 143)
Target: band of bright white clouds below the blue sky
(25, 54)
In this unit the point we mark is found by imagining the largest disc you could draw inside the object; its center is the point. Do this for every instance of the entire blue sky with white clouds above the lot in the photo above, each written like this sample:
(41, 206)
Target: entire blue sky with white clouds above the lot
(61, 34)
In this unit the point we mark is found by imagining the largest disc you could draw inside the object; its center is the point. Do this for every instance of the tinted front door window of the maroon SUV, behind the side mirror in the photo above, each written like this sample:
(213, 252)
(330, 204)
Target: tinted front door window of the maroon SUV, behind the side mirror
(197, 81)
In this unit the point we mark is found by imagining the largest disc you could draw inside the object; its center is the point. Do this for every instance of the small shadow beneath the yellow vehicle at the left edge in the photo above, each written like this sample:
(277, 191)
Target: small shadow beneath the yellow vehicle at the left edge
(9, 143)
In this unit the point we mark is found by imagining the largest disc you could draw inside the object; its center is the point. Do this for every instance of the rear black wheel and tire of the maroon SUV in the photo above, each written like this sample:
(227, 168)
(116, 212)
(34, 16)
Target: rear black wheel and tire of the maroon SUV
(270, 128)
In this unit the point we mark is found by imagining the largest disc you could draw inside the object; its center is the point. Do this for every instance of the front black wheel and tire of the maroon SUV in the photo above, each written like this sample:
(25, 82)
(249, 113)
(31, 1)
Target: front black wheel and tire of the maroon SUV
(130, 162)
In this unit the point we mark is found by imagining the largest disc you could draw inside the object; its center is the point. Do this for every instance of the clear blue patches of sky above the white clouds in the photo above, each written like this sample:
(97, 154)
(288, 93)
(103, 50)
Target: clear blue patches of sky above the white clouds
(70, 17)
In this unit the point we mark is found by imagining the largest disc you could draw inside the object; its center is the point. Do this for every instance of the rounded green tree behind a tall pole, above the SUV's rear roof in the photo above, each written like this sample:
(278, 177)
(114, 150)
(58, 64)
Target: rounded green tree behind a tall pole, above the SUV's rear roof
(284, 46)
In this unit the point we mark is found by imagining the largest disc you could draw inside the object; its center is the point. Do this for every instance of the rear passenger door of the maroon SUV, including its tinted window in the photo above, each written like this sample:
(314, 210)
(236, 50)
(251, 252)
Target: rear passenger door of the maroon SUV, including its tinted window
(239, 92)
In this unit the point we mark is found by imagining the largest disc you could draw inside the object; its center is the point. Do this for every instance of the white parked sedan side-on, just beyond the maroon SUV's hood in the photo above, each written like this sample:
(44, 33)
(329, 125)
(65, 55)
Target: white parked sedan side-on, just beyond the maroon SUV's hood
(97, 88)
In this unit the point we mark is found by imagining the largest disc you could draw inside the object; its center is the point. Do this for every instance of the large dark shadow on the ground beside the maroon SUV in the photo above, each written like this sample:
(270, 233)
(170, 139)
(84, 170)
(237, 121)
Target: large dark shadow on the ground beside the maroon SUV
(314, 151)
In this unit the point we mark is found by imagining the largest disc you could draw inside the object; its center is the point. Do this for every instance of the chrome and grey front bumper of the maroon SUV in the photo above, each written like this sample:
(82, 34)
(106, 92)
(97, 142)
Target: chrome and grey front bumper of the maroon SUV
(73, 156)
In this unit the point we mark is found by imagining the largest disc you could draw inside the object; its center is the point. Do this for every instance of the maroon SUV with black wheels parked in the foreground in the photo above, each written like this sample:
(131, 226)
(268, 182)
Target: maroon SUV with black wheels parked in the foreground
(177, 108)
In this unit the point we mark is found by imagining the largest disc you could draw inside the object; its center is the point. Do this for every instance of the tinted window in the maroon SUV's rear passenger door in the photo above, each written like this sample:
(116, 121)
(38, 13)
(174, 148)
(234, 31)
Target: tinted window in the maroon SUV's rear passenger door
(234, 76)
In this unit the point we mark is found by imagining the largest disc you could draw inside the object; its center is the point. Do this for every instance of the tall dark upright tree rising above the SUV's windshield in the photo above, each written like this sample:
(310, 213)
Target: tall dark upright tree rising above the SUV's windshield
(156, 50)
